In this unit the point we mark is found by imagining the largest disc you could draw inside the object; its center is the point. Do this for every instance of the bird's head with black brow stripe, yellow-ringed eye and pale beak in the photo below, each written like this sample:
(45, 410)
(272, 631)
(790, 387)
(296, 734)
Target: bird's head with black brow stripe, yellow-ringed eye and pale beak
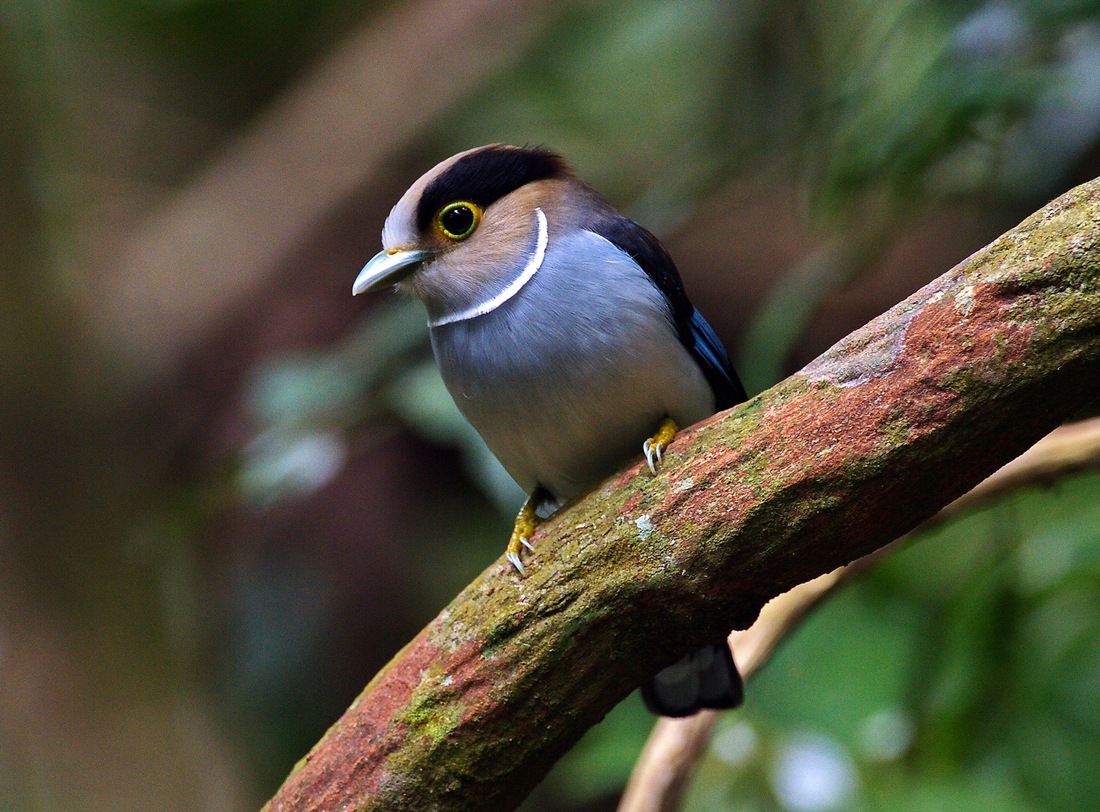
(469, 227)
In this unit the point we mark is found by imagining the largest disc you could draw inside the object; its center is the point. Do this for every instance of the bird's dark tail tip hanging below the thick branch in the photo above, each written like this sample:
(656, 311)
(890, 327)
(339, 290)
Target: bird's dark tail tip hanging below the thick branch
(707, 678)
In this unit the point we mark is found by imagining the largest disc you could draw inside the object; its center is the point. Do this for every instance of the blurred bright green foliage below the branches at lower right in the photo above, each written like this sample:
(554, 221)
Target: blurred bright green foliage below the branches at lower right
(962, 674)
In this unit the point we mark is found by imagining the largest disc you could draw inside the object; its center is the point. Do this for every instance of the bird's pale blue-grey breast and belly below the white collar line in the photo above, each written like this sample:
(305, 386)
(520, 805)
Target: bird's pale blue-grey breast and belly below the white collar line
(566, 380)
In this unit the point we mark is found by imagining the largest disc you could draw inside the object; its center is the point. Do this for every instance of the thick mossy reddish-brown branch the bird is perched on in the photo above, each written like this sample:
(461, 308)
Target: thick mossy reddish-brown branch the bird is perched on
(863, 445)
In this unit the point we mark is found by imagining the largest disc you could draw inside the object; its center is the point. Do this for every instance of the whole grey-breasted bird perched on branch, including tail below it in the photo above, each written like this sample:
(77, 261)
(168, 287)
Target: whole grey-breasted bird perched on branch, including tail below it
(563, 332)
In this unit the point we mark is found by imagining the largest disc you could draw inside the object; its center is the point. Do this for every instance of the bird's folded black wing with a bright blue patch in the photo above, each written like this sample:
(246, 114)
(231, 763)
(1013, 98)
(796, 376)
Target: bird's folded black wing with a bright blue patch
(695, 333)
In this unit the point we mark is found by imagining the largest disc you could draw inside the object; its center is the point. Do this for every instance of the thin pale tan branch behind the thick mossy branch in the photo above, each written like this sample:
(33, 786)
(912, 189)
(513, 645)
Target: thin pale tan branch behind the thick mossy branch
(675, 745)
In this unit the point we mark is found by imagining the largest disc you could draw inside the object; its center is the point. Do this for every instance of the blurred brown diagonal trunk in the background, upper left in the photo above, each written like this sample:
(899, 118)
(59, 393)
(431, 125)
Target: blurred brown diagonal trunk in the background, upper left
(221, 239)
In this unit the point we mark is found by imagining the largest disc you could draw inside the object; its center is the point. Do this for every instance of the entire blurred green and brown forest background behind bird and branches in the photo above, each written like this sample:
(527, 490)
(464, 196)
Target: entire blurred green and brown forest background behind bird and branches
(229, 492)
